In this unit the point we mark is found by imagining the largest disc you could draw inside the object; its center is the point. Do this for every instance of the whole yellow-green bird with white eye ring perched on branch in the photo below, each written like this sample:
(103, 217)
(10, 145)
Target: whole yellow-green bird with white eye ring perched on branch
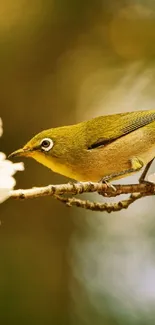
(103, 148)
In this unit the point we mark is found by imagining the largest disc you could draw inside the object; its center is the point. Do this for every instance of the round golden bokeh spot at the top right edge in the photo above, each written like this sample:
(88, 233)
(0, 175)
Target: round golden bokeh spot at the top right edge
(132, 32)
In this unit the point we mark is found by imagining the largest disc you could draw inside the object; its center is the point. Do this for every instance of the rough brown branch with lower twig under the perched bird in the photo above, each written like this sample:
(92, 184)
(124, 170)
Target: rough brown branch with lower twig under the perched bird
(58, 191)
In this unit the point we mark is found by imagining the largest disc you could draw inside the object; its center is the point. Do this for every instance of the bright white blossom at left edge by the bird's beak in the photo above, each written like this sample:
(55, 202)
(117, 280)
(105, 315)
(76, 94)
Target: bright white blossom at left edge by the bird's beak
(7, 170)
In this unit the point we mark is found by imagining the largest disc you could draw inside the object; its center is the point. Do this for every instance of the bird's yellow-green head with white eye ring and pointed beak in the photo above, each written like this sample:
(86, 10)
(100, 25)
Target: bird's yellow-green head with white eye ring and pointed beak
(52, 148)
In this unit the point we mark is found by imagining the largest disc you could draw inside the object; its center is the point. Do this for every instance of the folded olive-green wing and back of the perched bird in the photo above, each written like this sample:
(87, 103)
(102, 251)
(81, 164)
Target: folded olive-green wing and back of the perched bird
(106, 129)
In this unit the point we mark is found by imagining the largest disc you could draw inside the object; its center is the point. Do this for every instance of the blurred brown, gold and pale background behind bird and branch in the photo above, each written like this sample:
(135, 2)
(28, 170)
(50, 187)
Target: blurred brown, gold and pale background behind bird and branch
(62, 62)
